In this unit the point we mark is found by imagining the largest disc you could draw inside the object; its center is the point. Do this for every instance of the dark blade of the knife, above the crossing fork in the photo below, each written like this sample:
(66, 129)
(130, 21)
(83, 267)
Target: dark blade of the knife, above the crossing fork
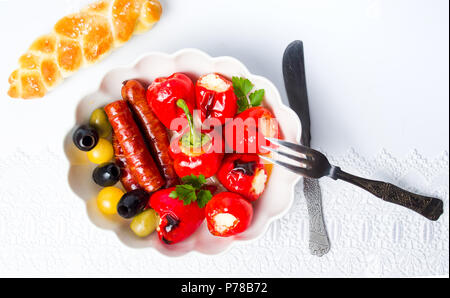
(295, 83)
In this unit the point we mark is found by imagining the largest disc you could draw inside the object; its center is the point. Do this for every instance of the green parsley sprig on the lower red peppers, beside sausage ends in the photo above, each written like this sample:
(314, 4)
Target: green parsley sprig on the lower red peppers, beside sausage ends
(191, 191)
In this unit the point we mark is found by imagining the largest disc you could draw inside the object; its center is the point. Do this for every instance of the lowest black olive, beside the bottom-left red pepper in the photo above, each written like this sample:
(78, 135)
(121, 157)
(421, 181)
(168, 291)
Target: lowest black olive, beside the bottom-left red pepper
(133, 203)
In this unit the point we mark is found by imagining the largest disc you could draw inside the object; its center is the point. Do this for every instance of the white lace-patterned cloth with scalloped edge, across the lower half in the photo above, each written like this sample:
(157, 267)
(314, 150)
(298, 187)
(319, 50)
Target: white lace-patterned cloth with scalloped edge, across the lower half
(49, 233)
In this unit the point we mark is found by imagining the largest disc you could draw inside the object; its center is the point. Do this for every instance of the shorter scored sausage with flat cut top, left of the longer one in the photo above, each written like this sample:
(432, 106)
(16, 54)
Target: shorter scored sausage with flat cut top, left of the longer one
(141, 164)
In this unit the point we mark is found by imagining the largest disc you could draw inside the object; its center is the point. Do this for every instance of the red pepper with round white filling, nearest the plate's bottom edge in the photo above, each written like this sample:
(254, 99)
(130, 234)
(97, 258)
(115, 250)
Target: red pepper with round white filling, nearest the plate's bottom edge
(228, 214)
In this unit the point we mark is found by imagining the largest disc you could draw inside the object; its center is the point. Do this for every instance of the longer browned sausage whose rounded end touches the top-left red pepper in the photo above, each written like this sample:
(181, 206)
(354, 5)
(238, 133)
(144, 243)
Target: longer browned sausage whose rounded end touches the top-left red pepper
(153, 130)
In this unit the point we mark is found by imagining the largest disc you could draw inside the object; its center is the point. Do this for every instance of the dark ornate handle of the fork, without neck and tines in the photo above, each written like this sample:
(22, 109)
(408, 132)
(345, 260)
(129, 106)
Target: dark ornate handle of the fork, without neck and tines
(431, 208)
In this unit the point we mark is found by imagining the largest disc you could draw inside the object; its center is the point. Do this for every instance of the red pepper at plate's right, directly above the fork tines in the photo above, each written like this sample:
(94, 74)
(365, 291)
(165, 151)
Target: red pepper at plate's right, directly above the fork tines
(249, 129)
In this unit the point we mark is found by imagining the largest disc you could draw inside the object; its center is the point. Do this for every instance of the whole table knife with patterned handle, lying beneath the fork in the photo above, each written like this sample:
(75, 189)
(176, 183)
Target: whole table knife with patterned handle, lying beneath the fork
(295, 83)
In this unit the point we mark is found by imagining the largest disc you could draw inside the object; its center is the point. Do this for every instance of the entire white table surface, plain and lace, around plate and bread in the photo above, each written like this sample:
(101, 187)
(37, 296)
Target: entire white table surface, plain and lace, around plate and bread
(377, 76)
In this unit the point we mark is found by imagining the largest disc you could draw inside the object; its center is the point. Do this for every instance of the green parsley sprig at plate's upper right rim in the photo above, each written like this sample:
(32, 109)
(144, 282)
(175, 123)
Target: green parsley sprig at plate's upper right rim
(242, 87)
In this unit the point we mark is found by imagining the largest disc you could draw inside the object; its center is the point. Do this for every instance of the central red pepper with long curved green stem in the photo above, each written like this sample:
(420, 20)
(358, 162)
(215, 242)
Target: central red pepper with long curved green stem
(194, 152)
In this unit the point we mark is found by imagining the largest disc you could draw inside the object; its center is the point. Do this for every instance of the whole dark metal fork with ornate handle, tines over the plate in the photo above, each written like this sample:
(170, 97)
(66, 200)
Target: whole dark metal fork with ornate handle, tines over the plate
(313, 164)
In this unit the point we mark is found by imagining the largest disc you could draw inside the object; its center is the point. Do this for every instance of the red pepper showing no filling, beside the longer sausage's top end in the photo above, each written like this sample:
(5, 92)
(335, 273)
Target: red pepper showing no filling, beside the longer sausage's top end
(162, 96)
